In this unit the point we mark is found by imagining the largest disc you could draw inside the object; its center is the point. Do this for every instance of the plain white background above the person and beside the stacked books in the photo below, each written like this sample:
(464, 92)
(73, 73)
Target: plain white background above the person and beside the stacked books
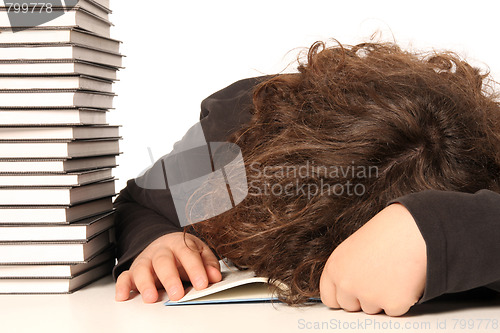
(180, 52)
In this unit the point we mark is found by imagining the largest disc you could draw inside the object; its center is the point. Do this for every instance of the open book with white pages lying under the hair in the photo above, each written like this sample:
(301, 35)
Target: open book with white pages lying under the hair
(235, 287)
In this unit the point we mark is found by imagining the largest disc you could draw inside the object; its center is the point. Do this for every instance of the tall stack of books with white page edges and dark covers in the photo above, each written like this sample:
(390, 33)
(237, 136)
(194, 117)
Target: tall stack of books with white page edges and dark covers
(57, 150)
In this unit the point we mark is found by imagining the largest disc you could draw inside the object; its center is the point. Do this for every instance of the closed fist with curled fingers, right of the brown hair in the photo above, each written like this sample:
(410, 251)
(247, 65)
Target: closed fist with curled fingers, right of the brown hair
(382, 266)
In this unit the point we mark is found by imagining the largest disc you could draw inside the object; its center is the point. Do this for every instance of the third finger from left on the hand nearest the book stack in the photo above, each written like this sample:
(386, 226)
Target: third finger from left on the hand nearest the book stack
(166, 269)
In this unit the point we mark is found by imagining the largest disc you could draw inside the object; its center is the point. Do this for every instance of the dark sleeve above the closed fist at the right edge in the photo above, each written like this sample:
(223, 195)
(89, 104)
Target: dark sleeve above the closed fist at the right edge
(462, 235)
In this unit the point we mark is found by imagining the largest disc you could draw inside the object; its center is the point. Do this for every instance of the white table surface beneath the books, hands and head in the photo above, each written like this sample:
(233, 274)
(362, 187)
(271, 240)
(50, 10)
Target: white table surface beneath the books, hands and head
(93, 309)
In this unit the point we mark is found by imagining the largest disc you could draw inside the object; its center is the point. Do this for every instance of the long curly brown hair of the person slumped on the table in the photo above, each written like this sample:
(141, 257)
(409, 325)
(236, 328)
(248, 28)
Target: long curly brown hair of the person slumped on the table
(367, 124)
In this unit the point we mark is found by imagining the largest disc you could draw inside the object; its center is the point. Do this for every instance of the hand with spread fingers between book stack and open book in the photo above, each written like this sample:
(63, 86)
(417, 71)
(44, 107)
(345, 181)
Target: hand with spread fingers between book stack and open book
(165, 262)
